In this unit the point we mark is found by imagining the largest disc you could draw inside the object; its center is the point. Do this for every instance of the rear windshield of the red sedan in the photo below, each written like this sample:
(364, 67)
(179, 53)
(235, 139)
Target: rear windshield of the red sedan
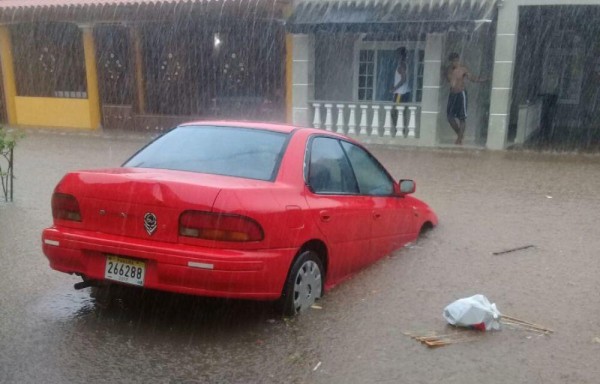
(230, 151)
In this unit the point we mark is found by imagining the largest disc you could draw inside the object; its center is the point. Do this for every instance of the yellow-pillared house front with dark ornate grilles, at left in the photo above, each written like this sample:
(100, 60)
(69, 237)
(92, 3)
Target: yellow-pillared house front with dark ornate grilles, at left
(139, 64)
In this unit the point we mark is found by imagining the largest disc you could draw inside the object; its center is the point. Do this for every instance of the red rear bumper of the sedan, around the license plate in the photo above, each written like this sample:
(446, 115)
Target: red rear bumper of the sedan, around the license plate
(246, 274)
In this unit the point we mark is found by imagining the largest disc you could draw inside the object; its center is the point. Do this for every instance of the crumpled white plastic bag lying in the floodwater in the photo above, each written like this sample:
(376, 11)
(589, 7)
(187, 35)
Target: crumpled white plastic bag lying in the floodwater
(475, 312)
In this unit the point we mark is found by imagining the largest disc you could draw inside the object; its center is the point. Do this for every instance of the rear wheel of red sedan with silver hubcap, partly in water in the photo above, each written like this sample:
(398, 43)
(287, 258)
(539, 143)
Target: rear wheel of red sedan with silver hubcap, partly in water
(304, 284)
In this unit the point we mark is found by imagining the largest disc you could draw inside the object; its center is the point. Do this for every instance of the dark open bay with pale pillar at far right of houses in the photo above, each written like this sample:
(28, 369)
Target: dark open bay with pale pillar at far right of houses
(555, 82)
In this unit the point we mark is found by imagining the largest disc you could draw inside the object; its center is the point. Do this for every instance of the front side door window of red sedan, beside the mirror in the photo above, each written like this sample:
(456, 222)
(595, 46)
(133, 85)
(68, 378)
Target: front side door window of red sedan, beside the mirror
(371, 177)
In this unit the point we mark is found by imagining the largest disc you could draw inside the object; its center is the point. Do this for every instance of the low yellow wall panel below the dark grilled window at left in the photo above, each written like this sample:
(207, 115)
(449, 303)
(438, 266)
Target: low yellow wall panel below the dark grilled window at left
(53, 112)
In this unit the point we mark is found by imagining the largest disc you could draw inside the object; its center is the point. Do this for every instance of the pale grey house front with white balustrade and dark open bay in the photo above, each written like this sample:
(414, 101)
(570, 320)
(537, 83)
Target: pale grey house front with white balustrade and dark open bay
(542, 87)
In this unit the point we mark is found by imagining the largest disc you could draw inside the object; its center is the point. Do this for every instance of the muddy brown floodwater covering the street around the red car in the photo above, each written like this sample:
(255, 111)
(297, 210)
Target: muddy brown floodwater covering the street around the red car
(487, 202)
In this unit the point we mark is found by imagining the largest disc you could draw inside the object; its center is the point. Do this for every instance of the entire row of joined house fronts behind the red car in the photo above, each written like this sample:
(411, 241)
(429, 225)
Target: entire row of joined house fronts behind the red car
(147, 65)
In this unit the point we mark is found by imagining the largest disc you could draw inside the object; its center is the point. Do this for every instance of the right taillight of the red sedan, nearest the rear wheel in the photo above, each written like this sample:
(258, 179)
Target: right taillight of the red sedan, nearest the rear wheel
(219, 226)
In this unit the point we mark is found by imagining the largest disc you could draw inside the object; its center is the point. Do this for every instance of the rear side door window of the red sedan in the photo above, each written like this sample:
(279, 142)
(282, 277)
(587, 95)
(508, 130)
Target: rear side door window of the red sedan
(329, 171)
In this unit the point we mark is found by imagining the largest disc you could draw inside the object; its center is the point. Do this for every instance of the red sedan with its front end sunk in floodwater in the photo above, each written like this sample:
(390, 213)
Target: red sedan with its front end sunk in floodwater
(238, 210)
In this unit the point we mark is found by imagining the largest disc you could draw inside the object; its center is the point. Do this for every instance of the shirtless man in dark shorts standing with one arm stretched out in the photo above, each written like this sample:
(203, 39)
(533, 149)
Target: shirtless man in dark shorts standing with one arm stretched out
(457, 99)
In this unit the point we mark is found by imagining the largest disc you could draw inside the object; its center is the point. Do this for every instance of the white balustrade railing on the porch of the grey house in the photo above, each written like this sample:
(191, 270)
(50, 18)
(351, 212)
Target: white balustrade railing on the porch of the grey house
(367, 119)
